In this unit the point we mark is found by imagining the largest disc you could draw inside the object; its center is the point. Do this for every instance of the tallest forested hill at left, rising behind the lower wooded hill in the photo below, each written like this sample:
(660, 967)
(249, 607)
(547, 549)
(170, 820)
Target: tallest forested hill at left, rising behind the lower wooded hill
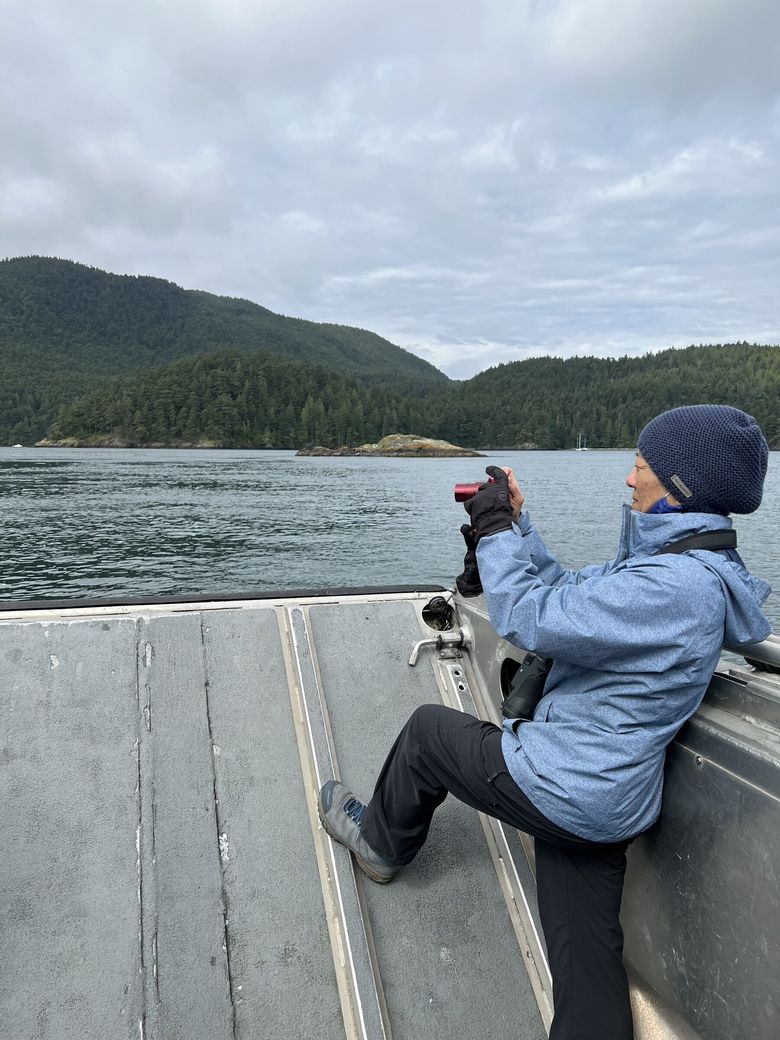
(65, 327)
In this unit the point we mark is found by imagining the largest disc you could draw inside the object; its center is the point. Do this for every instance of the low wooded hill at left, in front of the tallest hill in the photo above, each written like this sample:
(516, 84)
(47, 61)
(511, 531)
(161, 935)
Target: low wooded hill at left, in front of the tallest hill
(236, 400)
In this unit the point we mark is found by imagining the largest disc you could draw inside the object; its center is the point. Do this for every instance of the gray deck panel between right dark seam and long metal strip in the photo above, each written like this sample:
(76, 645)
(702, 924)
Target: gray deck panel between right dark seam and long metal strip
(278, 933)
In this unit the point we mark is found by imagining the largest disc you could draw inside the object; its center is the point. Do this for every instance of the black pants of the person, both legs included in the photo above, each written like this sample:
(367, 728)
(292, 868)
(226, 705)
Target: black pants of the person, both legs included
(580, 883)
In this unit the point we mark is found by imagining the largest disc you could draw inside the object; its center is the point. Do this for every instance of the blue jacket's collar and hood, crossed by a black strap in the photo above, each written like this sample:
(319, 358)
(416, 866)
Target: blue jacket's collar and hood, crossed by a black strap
(645, 534)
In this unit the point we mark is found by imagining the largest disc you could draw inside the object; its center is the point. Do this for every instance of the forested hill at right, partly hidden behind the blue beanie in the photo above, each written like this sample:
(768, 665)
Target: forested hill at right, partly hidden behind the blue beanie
(549, 402)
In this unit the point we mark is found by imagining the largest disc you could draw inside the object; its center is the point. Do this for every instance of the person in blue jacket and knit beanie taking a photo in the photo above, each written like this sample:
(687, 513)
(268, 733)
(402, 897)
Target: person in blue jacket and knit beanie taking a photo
(635, 643)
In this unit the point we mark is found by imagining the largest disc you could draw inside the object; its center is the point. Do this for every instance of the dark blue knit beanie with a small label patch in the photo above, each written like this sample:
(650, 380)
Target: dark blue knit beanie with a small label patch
(712, 458)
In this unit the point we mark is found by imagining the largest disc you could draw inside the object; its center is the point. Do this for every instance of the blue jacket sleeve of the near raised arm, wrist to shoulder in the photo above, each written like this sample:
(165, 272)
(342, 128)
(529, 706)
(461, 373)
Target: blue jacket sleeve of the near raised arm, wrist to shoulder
(642, 615)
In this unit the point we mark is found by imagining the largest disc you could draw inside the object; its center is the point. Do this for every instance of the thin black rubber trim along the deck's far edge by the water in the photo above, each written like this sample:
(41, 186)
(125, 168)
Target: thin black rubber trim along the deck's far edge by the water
(216, 597)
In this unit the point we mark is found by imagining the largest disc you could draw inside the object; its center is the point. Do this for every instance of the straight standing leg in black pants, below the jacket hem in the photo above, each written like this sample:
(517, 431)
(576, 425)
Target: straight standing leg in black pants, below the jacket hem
(580, 892)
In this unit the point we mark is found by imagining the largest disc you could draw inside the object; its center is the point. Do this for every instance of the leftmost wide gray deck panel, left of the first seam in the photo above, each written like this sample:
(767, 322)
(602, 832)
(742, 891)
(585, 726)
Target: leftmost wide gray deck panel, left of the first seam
(70, 957)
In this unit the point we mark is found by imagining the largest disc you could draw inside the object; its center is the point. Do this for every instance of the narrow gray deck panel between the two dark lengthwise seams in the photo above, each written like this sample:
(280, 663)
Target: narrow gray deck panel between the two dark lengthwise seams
(183, 860)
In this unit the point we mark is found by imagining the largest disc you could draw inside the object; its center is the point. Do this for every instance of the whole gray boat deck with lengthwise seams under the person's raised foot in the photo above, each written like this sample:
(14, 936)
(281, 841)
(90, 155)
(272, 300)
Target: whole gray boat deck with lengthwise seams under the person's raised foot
(165, 874)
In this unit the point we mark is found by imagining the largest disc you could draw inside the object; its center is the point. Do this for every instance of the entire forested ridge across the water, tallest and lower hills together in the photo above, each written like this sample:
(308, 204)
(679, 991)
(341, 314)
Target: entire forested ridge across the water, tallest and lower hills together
(77, 359)
